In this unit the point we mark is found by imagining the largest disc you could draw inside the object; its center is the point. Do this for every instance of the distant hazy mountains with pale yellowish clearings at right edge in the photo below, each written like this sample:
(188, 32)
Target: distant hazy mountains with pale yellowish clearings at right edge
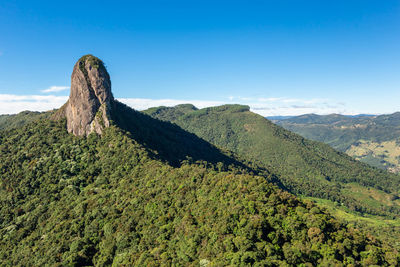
(370, 139)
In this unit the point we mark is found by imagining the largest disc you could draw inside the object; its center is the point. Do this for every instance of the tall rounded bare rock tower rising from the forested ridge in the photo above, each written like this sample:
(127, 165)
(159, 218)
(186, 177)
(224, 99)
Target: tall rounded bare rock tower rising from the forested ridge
(90, 102)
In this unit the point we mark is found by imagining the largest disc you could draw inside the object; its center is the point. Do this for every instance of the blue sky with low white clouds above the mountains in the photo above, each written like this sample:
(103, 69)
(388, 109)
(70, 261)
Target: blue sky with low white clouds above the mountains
(279, 57)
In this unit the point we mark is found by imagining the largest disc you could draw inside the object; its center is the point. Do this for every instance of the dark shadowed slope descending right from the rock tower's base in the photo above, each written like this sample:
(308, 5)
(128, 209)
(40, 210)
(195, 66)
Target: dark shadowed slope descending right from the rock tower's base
(169, 141)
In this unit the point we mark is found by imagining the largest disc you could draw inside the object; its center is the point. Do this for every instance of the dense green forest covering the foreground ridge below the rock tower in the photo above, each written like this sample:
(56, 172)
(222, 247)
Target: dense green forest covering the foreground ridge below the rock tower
(113, 200)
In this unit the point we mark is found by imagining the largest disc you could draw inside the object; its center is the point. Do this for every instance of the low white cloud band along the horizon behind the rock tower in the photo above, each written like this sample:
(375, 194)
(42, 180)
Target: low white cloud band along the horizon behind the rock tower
(273, 106)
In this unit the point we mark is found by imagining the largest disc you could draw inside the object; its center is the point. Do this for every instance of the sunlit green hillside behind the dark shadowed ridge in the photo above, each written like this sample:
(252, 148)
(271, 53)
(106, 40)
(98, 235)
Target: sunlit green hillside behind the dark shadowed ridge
(305, 167)
